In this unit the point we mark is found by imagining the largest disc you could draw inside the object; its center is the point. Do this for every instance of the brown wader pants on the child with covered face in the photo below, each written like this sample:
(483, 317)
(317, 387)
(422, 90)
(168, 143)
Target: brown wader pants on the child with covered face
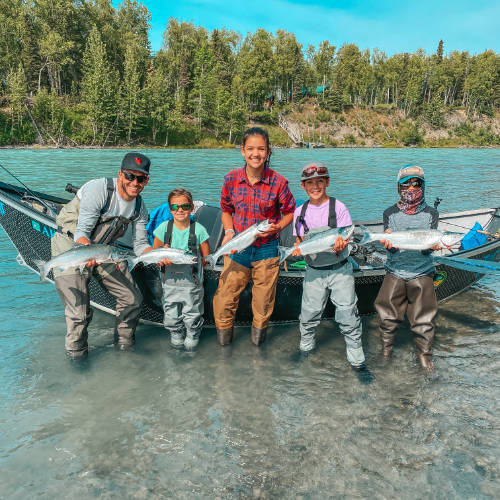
(416, 298)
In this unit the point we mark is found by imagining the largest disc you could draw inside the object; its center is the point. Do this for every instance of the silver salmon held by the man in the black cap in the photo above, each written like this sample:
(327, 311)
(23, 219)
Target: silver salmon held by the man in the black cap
(79, 256)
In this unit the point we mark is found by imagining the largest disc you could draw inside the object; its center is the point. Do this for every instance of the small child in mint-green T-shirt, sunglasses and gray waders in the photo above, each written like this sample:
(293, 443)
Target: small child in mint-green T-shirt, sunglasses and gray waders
(182, 284)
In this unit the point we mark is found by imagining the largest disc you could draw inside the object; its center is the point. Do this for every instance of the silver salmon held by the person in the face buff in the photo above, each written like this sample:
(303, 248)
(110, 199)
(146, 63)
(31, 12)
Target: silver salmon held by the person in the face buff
(413, 239)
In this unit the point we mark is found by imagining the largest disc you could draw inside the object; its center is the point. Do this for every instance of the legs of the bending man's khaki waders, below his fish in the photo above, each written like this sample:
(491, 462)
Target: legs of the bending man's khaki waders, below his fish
(73, 288)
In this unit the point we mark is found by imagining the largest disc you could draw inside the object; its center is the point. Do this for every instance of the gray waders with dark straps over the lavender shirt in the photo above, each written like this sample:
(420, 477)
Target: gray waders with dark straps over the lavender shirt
(329, 275)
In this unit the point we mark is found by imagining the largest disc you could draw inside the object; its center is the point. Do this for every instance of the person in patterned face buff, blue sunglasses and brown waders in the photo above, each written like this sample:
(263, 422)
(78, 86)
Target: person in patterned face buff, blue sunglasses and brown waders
(408, 286)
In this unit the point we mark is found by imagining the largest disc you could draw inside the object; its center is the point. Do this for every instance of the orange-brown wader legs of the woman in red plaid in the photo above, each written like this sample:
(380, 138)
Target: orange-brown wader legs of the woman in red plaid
(233, 280)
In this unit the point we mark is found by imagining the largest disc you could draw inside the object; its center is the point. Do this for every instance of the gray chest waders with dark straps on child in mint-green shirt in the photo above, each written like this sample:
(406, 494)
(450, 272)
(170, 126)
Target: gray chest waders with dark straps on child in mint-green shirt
(183, 294)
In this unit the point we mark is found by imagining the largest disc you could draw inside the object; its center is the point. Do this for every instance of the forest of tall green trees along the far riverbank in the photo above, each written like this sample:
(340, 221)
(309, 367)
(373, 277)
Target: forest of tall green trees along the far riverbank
(82, 72)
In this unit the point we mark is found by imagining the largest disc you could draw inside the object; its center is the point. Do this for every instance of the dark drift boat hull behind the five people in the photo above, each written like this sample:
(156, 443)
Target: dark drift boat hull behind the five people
(30, 230)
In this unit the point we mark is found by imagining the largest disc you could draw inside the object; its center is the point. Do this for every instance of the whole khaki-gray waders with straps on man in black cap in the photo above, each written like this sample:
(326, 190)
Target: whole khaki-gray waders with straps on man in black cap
(72, 285)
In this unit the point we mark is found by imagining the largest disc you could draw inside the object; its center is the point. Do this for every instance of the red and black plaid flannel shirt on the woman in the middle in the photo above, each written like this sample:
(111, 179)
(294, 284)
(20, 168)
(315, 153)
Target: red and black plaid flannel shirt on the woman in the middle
(269, 198)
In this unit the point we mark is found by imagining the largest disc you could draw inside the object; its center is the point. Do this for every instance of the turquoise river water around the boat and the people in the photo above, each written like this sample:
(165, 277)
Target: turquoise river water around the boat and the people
(242, 422)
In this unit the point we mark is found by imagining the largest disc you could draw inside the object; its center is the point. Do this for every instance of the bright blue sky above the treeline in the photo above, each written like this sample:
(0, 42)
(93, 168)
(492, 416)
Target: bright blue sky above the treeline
(390, 25)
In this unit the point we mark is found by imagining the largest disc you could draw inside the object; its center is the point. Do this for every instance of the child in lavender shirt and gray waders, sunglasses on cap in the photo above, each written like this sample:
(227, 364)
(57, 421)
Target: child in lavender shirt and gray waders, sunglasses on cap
(330, 273)
